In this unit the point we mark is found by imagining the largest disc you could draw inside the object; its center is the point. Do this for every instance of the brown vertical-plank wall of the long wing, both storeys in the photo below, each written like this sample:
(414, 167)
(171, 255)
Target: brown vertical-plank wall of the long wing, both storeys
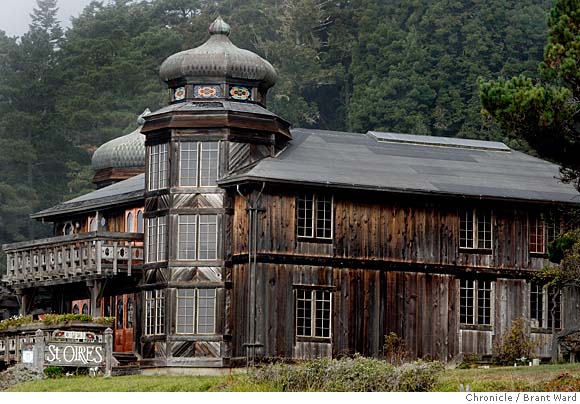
(368, 303)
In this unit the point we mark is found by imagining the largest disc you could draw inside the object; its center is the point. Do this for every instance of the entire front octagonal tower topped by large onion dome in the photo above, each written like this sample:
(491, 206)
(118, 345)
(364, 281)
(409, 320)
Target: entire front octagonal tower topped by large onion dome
(215, 126)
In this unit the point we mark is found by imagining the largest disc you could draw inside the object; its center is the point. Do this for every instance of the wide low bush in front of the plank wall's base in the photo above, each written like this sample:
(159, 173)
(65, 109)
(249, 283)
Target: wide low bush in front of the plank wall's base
(356, 374)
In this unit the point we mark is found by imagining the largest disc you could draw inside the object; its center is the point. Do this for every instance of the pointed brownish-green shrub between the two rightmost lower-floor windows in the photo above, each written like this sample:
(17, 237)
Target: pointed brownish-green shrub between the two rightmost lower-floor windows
(515, 345)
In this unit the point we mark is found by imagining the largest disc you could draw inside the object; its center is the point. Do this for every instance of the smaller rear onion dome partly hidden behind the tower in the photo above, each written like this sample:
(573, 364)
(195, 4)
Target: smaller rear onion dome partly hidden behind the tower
(120, 158)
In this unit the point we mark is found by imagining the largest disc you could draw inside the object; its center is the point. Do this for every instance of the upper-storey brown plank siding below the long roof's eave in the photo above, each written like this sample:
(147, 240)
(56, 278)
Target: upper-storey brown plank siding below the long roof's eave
(389, 229)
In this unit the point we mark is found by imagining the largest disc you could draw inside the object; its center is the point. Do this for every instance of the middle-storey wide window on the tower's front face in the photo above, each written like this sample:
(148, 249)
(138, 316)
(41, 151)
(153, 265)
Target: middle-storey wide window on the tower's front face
(197, 239)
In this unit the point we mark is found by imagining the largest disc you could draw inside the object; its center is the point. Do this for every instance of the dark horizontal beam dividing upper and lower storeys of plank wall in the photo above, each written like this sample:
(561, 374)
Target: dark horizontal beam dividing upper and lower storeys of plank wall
(384, 265)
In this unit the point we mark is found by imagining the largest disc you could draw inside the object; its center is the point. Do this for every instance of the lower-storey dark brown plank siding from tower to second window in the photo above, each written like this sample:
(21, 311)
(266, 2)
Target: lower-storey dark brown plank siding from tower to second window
(366, 305)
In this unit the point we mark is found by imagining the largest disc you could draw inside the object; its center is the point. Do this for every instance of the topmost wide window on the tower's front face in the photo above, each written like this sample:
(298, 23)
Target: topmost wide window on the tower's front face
(198, 164)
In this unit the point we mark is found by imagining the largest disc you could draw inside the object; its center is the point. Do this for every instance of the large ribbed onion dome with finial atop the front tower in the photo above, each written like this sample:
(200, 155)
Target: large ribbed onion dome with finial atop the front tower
(218, 58)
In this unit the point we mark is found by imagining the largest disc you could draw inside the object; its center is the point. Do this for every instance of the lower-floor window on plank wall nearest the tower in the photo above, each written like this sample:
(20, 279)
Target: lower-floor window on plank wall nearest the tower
(313, 313)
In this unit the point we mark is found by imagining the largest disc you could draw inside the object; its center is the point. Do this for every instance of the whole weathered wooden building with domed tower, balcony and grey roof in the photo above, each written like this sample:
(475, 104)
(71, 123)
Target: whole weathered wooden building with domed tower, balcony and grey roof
(245, 239)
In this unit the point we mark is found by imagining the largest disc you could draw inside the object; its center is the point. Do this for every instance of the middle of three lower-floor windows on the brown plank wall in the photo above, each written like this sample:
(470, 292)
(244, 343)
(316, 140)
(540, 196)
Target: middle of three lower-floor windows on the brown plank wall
(472, 302)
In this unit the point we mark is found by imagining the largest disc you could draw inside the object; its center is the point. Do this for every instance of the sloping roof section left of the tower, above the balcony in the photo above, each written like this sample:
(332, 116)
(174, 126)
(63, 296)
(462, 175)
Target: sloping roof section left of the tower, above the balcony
(120, 193)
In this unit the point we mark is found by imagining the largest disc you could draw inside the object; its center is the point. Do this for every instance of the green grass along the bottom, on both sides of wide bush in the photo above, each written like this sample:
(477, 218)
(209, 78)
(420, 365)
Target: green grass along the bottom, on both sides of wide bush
(493, 379)
